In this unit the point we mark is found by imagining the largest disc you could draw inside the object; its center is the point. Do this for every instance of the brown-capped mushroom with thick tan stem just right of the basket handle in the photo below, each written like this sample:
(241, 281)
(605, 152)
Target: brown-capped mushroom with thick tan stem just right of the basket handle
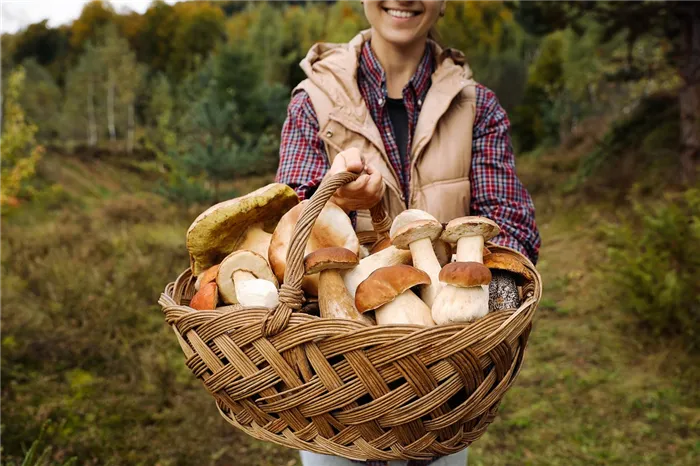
(333, 299)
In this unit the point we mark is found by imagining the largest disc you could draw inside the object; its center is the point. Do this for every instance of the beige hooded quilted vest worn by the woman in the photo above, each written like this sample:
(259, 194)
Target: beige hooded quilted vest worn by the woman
(442, 143)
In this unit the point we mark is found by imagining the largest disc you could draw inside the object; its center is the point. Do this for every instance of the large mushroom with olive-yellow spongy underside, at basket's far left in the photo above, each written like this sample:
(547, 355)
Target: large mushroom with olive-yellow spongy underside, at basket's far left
(239, 223)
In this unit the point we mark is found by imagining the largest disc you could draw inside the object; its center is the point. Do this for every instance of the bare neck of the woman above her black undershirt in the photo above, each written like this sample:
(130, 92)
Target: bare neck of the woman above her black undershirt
(399, 63)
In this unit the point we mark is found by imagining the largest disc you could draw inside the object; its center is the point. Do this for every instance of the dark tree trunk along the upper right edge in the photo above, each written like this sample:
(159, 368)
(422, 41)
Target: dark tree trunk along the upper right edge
(690, 95)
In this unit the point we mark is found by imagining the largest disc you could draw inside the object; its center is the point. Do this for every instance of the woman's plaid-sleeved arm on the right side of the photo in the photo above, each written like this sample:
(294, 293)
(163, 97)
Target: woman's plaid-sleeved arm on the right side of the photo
(497, 193)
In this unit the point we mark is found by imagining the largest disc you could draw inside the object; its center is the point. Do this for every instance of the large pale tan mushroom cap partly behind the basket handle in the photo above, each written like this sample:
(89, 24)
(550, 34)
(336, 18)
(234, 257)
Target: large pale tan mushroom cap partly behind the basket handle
(332, 228)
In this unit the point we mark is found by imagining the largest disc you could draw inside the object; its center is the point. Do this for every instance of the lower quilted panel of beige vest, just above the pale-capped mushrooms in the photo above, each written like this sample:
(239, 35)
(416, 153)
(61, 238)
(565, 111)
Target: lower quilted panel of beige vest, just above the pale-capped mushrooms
(446, 200)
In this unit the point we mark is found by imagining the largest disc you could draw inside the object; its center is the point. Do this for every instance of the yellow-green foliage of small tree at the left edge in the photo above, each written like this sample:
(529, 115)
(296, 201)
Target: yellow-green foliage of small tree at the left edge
(18, 147)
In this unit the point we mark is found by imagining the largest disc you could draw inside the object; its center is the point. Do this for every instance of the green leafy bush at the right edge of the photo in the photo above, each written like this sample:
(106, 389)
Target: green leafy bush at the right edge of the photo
(653, 266)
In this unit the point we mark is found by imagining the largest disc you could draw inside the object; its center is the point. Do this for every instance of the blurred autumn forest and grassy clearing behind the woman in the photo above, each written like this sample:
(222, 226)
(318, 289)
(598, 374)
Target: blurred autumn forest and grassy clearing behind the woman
(119, 128)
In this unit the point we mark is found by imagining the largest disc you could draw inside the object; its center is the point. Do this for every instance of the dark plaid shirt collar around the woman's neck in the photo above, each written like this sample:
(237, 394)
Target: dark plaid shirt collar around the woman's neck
(371, 70)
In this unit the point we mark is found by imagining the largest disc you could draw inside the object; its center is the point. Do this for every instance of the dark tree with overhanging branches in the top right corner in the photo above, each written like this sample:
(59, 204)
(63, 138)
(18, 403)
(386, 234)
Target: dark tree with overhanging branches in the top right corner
(677, 22)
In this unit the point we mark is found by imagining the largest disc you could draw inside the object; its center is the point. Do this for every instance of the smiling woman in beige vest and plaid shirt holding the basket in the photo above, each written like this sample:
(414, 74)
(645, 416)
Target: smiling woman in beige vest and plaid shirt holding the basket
(394, 103)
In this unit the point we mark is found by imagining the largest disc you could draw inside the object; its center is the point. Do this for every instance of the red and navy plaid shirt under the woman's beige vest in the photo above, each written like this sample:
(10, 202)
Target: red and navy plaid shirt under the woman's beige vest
(496, 191)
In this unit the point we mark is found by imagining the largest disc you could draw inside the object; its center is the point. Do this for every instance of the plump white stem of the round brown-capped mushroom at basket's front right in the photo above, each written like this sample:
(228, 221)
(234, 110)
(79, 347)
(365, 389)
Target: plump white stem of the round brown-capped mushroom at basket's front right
(457, 305)
